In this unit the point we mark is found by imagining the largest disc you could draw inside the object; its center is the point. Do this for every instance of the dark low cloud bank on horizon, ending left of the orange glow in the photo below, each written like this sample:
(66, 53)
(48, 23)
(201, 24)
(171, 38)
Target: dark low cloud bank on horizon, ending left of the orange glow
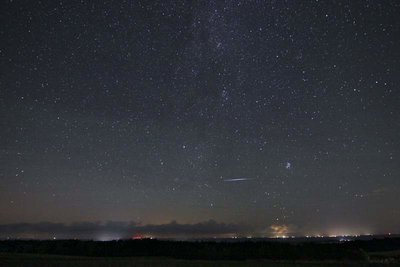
(118, 230)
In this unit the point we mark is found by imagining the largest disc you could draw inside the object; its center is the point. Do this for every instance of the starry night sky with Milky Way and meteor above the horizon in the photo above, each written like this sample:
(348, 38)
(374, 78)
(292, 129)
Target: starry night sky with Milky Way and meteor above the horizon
(199, 118)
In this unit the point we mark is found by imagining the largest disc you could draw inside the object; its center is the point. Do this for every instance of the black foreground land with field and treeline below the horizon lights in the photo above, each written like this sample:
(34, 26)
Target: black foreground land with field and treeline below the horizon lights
(171, 253)
